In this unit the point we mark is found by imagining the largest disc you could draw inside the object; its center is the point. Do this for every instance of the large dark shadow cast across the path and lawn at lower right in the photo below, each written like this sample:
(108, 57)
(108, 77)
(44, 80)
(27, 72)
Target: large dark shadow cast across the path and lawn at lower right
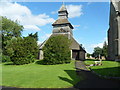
(90, 80)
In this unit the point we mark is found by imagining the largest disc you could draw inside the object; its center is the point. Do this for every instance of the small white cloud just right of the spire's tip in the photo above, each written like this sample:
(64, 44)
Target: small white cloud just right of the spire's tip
(74, 10)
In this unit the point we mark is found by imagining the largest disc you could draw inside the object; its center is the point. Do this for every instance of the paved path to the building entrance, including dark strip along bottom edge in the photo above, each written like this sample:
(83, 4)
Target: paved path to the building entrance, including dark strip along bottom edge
(90, 81)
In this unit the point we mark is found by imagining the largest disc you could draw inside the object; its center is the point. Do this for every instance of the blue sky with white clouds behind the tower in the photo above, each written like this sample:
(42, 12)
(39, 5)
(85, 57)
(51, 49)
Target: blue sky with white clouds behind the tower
(90, 19)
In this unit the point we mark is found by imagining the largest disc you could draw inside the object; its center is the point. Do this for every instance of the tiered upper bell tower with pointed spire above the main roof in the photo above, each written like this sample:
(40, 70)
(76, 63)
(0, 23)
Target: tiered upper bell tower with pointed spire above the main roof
(62, 25)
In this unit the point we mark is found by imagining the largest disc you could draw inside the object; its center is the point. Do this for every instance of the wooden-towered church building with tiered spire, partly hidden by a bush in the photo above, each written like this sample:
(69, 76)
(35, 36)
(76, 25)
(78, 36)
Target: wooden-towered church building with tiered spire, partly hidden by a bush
(63, 26)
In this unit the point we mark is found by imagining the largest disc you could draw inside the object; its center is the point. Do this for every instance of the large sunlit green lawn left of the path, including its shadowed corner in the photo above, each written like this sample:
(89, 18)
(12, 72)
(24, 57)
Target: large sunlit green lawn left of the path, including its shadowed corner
(39, 76)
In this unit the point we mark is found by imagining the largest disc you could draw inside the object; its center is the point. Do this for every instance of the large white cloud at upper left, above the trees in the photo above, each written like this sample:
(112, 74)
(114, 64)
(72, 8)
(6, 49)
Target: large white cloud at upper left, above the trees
(23, 14)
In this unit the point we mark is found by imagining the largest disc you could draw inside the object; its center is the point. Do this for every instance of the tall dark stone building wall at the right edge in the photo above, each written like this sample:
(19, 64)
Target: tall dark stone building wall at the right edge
(114, 31)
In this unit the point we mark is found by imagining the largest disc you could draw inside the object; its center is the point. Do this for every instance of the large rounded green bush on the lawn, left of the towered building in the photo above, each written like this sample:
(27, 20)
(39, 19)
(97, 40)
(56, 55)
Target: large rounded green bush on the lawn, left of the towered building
(23, 50)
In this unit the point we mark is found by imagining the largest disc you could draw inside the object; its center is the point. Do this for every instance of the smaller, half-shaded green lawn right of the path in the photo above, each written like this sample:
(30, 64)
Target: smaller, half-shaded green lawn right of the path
(108, 68)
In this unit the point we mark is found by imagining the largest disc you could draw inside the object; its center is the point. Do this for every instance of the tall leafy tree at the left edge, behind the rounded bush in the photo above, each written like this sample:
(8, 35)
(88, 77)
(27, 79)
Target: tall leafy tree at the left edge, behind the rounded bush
(9, 29)
